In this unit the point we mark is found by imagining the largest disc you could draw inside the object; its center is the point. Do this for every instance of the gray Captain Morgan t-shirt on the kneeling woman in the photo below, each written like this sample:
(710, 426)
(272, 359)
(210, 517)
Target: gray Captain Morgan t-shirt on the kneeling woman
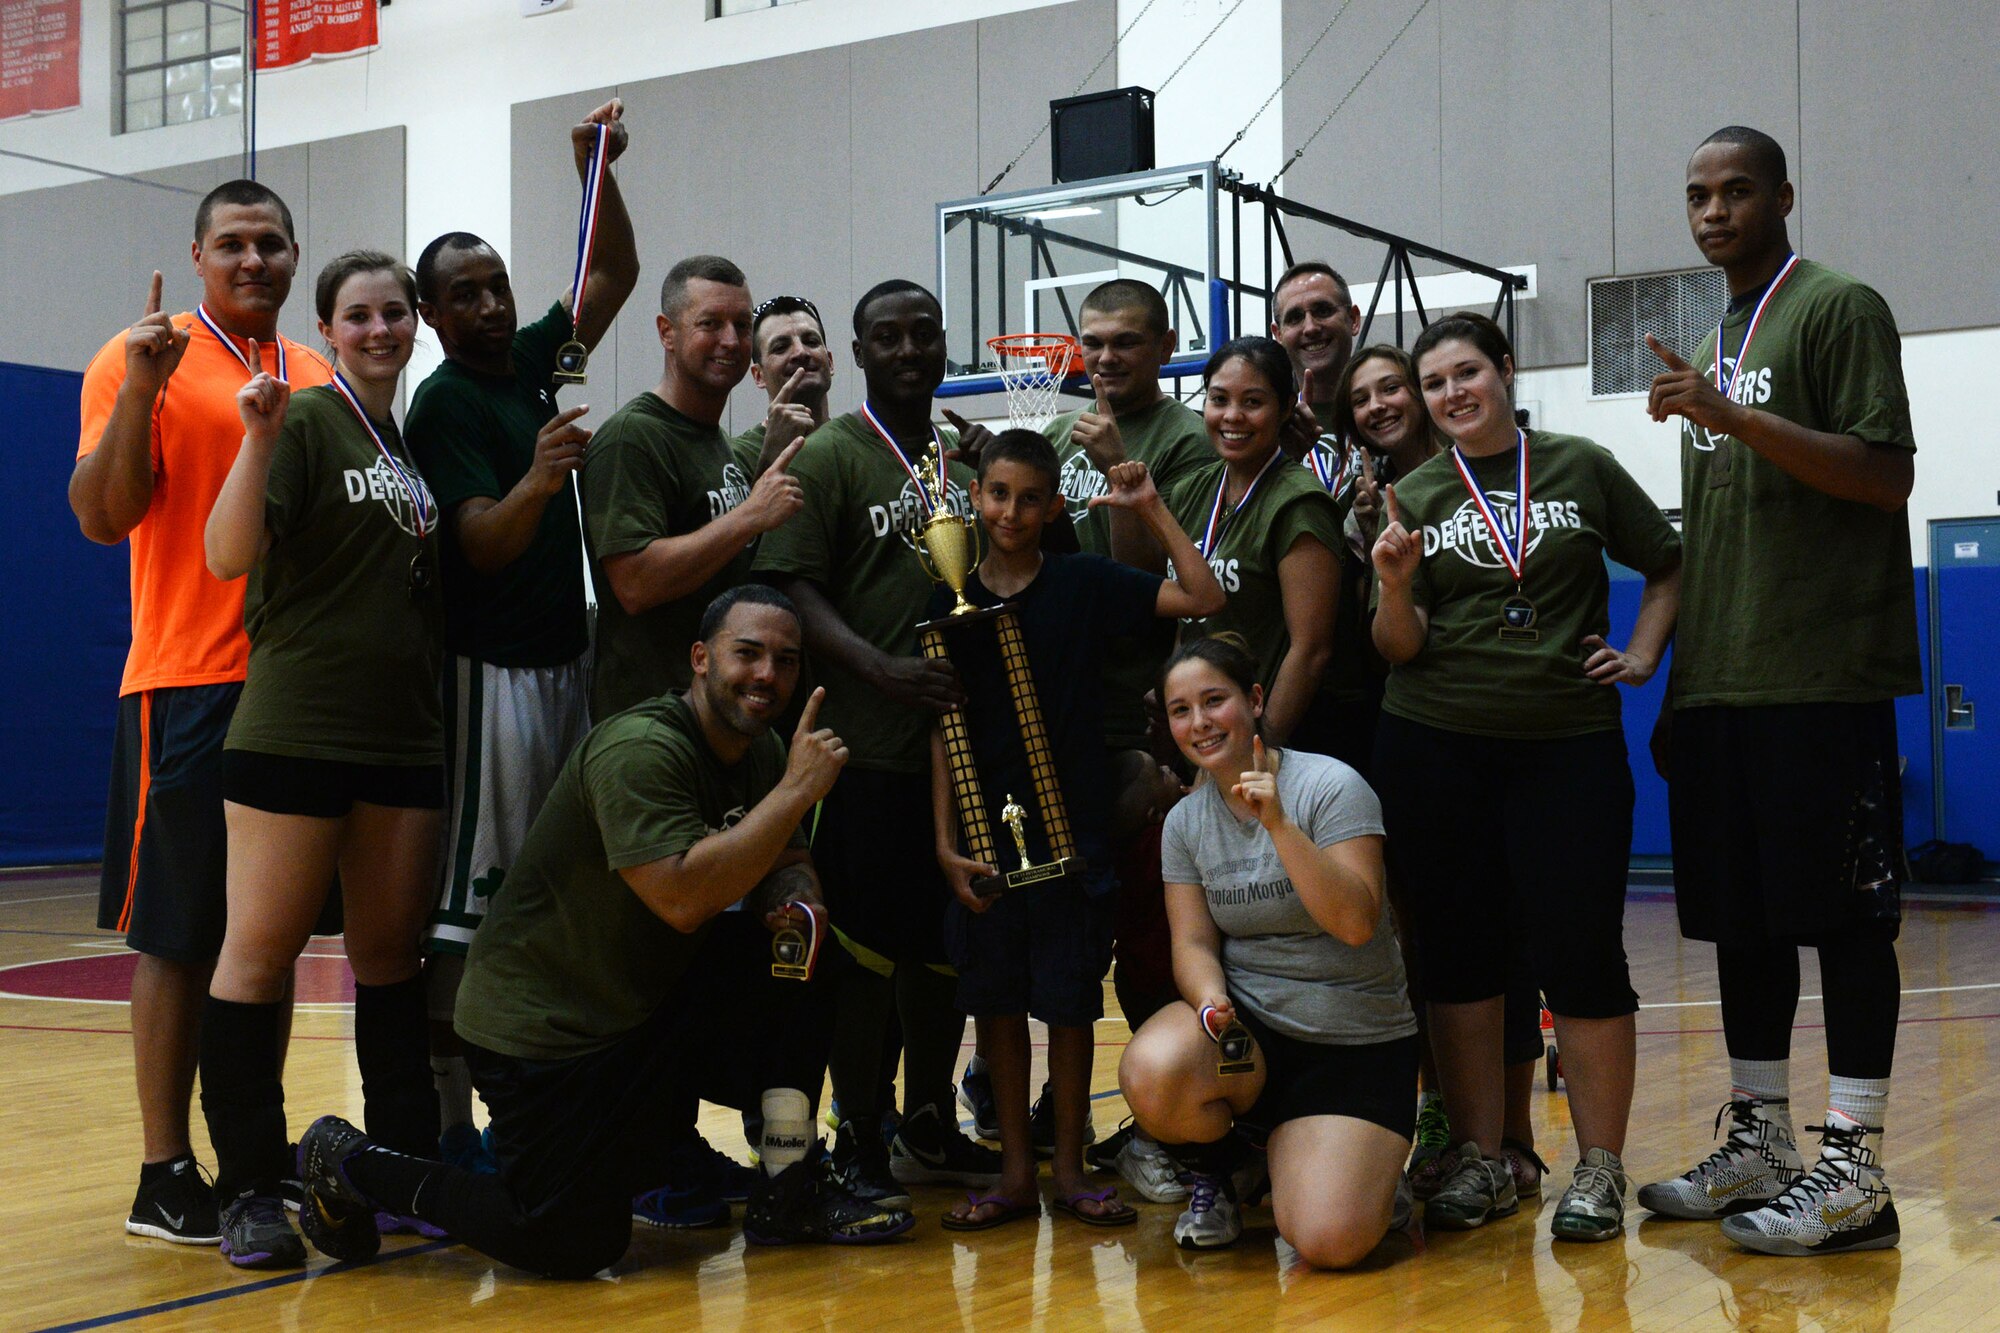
(1279, 964)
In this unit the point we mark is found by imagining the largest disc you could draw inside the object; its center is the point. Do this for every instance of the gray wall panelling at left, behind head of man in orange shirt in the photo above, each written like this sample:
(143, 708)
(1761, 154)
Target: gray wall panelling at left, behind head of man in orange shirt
(77, 259)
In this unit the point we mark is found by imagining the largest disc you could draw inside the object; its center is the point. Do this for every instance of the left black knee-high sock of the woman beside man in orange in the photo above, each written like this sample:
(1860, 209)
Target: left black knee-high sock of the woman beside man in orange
(243, 1096)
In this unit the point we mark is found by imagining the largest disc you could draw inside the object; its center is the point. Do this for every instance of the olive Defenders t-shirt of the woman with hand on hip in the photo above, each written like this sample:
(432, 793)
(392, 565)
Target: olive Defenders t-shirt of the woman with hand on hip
(1583, 507)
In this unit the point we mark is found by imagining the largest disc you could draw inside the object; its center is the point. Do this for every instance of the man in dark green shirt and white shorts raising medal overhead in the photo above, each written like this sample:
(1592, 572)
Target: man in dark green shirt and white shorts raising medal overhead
(499, 455)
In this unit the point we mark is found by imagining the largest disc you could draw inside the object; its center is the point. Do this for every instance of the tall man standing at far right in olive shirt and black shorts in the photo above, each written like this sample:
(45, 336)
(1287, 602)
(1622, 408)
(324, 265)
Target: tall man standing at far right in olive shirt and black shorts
(1797, 633)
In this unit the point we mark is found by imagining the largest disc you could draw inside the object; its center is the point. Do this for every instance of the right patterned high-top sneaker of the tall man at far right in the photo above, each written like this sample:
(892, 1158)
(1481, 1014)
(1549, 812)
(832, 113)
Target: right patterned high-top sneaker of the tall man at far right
(1843, 1204)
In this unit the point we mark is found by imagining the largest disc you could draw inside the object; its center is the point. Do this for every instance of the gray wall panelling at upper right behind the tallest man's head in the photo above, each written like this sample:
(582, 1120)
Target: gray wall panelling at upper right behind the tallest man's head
(1557, 135)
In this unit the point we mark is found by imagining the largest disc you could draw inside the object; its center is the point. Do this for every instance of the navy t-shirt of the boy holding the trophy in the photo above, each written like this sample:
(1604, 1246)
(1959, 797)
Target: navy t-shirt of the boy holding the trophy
(1069, 615)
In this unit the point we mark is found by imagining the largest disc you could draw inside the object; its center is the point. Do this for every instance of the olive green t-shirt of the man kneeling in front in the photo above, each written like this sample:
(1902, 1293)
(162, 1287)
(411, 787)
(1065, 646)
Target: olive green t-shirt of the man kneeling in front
(571, 958)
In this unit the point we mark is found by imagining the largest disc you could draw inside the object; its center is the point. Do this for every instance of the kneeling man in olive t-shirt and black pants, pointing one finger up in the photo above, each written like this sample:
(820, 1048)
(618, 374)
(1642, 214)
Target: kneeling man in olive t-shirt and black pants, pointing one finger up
(599, 990)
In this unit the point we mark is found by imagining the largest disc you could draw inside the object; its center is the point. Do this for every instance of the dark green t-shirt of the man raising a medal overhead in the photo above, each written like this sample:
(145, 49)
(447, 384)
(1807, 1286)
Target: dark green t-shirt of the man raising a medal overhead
(473, 435)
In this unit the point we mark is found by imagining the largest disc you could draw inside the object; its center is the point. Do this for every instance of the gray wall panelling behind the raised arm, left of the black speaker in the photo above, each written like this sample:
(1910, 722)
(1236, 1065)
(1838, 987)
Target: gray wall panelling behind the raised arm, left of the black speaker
(817, 173)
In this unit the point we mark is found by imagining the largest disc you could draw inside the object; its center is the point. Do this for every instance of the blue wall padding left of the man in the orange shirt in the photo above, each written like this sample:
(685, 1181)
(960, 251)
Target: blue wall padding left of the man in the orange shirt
(67, 607)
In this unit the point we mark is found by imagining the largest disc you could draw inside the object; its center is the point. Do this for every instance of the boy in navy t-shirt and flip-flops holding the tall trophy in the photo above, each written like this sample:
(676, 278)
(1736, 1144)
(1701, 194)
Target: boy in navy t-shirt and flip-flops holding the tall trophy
(1027, 631)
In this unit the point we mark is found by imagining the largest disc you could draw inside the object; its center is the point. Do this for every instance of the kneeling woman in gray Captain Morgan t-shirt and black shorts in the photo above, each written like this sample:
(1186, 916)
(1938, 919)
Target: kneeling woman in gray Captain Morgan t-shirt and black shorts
(1275, 896)
